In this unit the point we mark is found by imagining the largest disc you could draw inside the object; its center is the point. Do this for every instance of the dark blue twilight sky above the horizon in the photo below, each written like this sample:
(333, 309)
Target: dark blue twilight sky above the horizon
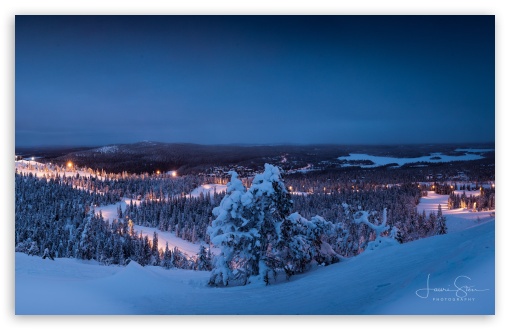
(97, 80)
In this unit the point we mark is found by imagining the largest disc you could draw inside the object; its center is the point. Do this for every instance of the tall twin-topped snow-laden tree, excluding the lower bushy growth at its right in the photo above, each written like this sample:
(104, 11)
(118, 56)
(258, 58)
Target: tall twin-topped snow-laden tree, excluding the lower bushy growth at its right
(247, 227)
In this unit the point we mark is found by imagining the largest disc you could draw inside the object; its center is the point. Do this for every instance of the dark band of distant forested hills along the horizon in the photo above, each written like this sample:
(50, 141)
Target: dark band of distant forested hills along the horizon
(189, 158)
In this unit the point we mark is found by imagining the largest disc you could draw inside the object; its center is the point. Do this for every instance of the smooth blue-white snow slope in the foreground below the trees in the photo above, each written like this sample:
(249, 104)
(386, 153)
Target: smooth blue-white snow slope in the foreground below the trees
(379, 282)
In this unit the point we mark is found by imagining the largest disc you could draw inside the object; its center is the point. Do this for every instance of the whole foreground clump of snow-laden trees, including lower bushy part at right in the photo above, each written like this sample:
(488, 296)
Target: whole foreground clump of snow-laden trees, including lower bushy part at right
(257, 234)
